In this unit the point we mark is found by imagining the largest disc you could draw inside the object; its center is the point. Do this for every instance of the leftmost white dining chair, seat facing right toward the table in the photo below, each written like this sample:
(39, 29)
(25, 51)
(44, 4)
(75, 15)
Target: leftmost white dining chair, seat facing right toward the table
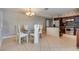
(20, 34)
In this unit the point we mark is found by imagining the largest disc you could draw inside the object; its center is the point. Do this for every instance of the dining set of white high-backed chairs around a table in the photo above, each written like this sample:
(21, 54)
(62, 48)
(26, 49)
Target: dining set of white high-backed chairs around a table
(26, 35)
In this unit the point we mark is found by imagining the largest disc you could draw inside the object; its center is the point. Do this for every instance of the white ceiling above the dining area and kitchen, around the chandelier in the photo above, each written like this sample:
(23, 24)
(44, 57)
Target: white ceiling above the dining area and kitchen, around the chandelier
(46, 12)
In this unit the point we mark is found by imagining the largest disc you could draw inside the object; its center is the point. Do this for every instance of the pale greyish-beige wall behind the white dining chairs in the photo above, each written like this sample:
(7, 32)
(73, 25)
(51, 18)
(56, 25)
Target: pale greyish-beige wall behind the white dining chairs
(11, 19)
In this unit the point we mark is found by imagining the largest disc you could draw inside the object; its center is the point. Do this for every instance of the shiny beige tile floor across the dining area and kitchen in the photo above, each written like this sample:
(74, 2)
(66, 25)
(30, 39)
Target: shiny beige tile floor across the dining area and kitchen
(47, 43)
